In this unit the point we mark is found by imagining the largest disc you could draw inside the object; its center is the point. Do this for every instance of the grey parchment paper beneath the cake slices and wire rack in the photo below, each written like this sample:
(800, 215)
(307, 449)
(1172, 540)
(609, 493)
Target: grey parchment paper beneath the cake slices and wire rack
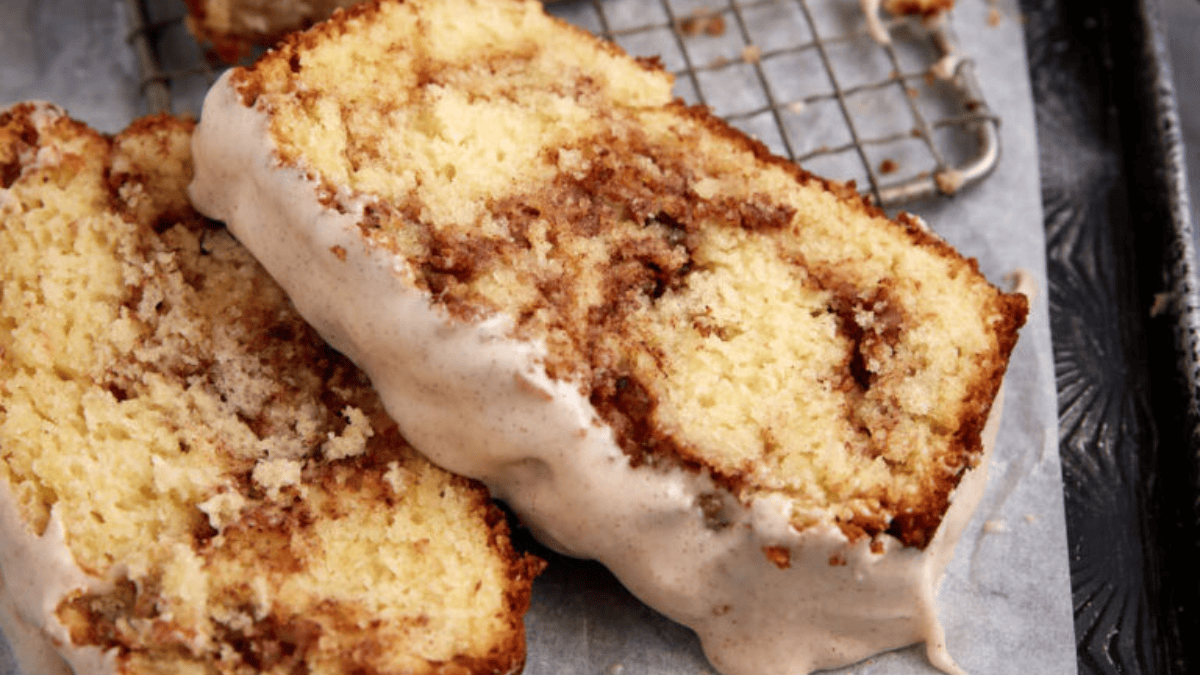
(1006, 600)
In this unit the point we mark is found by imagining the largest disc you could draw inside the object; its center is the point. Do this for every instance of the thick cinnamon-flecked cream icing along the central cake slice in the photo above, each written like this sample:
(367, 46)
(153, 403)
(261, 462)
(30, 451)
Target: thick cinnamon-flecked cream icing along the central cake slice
(479, 403)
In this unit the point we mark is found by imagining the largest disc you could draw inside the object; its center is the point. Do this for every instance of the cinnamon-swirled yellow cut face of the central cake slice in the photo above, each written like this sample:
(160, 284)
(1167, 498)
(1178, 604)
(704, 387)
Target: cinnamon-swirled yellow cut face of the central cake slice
(721, 308)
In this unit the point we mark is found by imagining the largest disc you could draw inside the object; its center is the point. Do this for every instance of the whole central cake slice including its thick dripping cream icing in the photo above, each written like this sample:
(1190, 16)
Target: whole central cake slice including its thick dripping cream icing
(752, 396)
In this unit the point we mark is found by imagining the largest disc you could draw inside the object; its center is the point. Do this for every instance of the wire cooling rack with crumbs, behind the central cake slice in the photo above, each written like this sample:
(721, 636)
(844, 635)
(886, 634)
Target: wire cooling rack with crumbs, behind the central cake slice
(903, 118)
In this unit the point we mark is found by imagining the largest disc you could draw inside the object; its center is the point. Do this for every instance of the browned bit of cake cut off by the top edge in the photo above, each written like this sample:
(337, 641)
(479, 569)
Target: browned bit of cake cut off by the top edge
(237, 27)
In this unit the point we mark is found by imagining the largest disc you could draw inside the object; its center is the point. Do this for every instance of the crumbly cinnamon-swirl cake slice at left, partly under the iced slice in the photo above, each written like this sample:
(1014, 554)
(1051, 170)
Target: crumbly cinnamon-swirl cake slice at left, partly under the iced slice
(191, 481)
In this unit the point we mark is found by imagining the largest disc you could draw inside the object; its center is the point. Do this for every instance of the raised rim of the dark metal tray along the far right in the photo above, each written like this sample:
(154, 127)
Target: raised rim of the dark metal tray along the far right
(1177, 405)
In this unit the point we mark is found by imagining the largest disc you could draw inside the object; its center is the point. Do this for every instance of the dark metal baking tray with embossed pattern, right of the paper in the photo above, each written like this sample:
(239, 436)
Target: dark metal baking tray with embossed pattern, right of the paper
(1124, 297)
